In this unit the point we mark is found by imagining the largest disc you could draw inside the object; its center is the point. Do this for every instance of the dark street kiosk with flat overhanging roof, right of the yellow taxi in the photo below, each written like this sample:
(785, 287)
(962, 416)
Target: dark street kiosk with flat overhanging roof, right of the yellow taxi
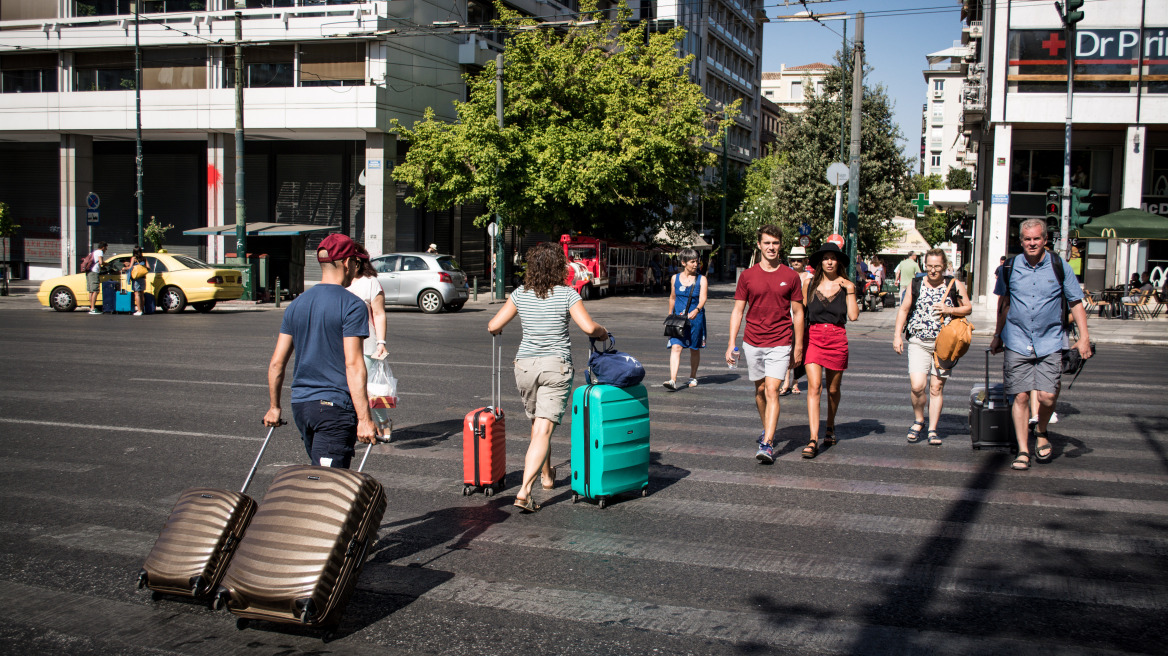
(276, 253)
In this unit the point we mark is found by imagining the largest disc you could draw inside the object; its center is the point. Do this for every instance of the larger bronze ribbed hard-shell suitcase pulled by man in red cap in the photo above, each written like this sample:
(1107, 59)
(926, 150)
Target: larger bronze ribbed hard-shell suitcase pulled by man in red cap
(305, 548)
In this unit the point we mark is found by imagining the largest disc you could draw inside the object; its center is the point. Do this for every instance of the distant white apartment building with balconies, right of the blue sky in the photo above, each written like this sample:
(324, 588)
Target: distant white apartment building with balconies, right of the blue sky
(944, 144)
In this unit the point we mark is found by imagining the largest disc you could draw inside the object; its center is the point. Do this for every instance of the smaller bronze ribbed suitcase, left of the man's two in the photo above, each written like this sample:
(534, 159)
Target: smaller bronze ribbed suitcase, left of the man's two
(199, 539)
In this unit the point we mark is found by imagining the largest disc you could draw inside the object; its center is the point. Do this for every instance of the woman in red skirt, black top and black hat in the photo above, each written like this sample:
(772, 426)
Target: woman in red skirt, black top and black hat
(831, 303)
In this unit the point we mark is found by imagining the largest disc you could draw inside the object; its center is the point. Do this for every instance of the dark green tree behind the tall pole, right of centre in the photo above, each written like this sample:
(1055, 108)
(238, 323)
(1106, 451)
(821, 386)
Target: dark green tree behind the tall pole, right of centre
(799, 190)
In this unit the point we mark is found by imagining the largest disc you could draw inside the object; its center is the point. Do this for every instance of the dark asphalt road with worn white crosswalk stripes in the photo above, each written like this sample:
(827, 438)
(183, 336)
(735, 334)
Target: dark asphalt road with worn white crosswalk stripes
(877, 547)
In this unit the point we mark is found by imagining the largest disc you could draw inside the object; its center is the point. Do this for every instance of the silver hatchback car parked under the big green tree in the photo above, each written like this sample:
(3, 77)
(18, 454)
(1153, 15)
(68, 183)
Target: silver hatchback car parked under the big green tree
(430, 282)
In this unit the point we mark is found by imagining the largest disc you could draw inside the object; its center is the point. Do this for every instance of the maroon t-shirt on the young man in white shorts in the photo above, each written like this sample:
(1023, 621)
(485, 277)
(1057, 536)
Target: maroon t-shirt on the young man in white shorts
(769, 297)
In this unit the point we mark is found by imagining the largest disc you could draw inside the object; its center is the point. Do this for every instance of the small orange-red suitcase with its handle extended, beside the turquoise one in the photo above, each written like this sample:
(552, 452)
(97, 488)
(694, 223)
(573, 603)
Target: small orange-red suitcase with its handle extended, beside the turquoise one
(484, 438)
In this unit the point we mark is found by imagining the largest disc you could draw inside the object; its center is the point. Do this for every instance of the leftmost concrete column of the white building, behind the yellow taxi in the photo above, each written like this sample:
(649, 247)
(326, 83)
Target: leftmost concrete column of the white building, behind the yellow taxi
(77, 183)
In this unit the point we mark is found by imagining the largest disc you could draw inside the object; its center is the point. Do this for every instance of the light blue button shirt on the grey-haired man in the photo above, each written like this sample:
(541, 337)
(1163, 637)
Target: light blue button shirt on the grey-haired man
(1034, 324)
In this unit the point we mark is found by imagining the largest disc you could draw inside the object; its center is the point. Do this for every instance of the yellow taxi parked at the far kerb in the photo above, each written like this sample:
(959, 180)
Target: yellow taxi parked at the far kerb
(176, 281)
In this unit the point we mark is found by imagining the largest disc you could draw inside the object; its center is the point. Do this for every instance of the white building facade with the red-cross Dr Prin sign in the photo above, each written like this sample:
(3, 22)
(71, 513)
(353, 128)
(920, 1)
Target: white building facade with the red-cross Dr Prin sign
(1016, 108)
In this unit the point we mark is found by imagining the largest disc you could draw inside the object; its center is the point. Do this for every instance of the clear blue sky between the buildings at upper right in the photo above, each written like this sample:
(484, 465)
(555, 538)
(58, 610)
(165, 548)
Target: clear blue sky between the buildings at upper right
(895, 47)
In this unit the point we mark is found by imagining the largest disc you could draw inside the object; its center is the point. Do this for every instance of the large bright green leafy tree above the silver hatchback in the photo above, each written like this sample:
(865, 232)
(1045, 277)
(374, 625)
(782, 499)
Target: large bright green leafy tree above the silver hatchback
(603, 131)
